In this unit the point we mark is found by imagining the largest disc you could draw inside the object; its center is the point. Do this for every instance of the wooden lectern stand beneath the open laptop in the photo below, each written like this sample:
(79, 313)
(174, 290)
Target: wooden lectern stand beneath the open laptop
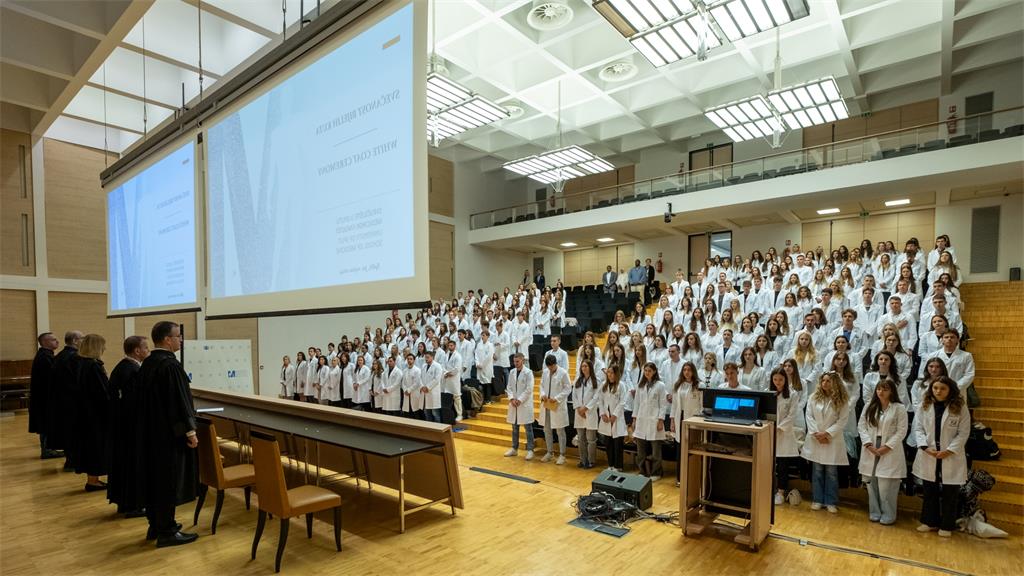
(697, 508)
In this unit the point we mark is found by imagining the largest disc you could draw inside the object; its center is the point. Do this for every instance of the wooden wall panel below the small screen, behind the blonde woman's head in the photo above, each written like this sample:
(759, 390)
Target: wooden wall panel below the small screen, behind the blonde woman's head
(76, 311)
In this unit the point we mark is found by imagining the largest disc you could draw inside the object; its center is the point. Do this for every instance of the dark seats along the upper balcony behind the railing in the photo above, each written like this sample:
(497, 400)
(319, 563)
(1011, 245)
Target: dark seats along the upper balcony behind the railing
(963, 140)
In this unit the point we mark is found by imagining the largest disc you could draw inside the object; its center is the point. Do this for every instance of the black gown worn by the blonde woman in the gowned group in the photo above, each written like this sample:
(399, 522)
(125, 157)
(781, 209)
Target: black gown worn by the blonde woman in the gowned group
(93, 424)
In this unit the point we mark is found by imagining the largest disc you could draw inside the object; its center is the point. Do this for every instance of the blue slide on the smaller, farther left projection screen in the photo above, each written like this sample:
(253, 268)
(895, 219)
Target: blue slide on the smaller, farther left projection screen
(152, 236)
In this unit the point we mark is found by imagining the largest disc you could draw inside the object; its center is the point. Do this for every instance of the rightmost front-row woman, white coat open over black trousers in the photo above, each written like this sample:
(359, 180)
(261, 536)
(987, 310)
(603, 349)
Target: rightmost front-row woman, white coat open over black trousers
(942, 429)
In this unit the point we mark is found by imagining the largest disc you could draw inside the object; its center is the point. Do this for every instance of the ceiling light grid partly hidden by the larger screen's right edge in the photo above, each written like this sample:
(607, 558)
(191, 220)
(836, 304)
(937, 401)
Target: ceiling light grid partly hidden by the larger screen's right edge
(453, 109)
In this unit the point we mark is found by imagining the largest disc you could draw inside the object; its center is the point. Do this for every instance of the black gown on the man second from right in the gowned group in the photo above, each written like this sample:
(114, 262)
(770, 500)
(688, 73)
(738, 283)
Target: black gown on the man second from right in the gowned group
(123, 437)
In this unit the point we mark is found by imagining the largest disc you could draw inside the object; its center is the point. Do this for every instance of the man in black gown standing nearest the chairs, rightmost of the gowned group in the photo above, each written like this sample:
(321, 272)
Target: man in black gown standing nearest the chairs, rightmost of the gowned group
(167, 435)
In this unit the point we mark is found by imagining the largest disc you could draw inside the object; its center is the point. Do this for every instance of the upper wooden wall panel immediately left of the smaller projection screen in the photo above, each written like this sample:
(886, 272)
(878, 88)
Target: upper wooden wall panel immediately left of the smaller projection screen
(76, 221)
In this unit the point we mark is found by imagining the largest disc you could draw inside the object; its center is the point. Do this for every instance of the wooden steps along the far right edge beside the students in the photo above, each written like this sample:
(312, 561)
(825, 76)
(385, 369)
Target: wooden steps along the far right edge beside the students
(995, 316)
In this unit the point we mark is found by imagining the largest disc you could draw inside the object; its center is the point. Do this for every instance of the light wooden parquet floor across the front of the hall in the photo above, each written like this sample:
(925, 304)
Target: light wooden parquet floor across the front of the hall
(49, 525)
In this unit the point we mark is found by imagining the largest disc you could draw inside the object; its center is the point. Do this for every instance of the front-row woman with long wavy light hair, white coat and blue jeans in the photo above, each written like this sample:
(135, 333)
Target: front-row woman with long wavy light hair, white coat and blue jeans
(825, 448)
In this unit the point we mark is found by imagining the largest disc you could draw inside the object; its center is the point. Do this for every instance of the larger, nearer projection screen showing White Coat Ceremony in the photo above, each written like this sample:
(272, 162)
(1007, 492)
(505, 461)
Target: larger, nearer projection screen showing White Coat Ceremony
(317, 184)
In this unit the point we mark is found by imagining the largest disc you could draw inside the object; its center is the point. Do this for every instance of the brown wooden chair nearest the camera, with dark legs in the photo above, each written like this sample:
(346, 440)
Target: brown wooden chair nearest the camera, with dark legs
(277, 500)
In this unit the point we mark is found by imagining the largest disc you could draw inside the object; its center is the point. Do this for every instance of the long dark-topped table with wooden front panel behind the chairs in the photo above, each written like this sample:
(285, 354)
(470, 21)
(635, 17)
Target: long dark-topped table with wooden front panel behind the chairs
(413, 458)
